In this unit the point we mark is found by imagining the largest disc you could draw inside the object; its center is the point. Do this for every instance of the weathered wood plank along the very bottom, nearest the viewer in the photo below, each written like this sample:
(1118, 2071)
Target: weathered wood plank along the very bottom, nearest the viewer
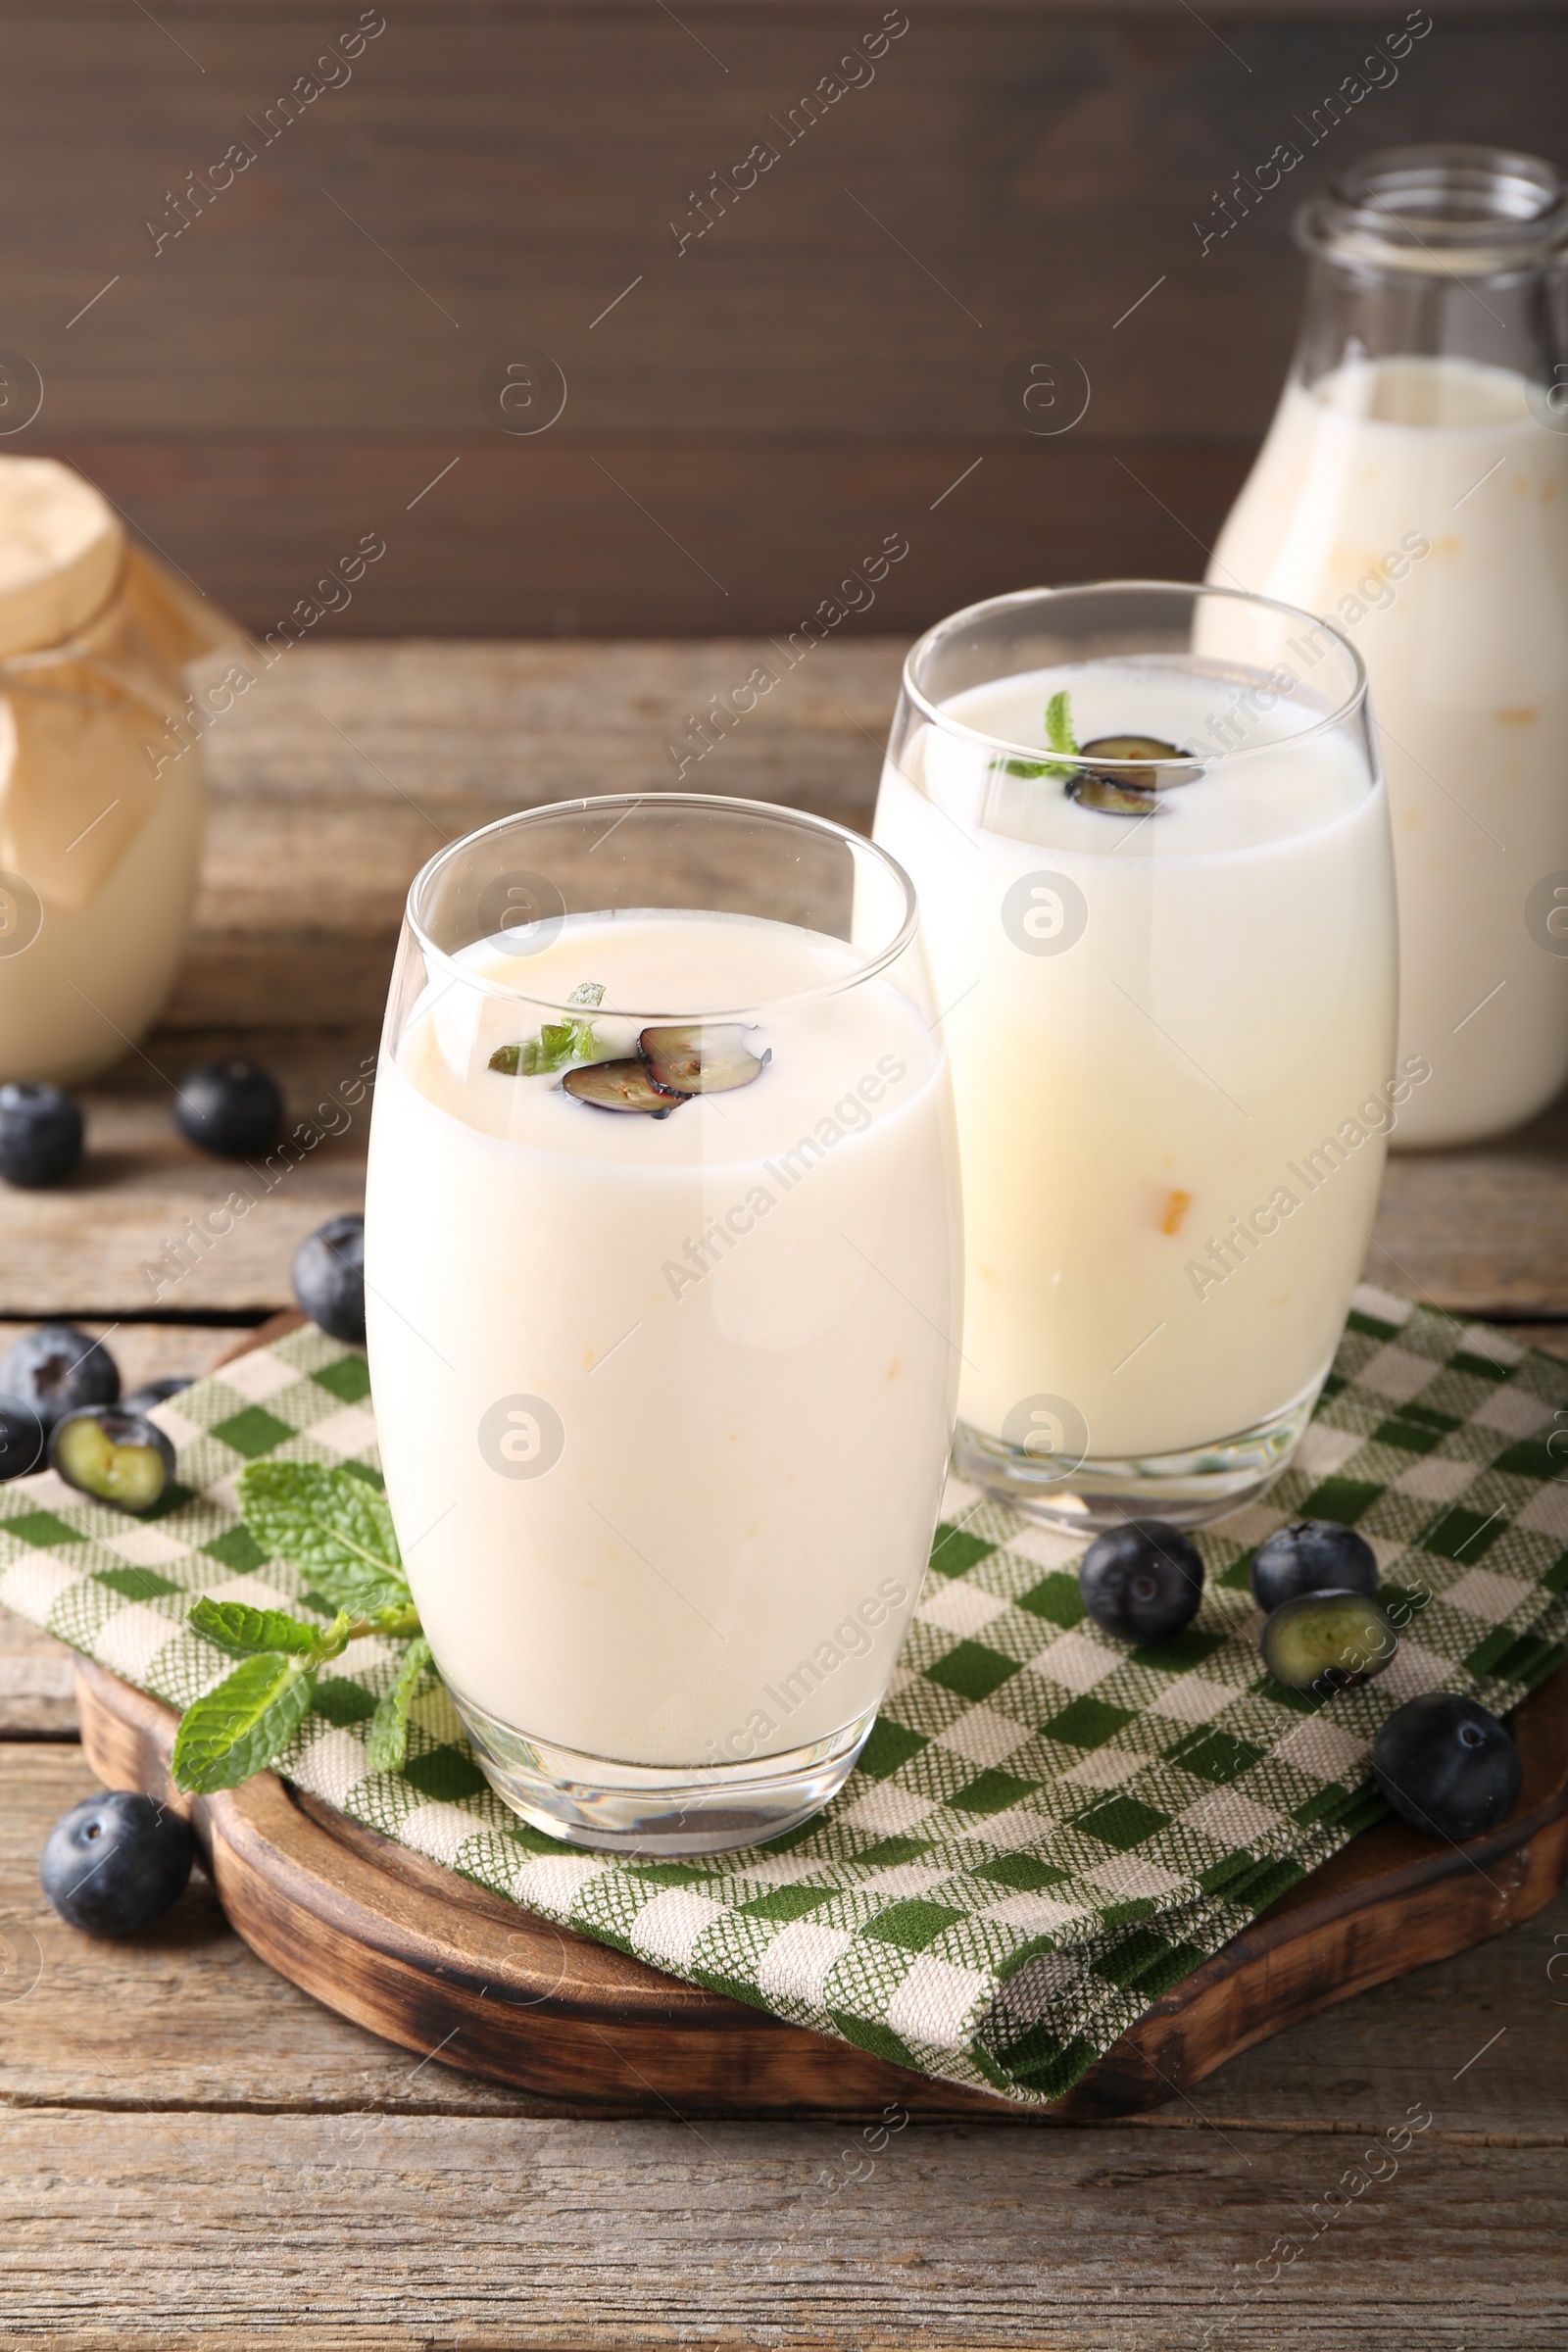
(206, 2231)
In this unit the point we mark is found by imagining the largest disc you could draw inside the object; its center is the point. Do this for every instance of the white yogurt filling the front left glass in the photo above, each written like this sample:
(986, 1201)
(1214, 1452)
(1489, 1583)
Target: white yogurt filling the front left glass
(742, 1316)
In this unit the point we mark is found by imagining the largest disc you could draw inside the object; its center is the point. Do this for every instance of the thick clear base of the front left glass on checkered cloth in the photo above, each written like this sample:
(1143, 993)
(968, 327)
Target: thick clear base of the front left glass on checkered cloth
(662, 1808)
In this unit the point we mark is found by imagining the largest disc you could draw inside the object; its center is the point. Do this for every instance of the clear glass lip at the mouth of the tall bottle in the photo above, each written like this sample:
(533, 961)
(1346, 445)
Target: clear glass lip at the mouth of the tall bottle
(1440, 213)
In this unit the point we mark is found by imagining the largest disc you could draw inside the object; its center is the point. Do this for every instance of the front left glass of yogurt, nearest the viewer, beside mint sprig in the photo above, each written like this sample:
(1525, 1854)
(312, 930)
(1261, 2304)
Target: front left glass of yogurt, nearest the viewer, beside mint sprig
(664, 1304)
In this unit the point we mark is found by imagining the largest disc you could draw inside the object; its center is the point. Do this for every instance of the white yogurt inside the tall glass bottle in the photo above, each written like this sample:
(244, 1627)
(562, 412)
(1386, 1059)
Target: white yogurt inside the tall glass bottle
(1421, 505)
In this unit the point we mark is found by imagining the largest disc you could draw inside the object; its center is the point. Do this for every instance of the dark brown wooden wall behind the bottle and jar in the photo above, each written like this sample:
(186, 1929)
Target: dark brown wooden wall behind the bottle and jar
(758, 410)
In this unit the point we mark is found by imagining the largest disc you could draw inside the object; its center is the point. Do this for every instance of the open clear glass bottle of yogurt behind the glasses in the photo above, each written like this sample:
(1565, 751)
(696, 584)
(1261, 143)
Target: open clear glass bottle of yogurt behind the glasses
(1414, 490)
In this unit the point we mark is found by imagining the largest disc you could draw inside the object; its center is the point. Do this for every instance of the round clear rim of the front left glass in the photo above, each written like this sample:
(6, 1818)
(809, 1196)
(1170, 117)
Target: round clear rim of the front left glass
(626, 803)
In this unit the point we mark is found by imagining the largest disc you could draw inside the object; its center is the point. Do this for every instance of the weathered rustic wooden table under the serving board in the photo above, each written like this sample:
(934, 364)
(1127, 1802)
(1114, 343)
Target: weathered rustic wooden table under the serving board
(194, 2153)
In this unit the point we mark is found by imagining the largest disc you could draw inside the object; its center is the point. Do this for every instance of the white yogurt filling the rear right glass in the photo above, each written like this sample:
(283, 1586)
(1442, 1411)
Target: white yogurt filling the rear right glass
(1125, 1100)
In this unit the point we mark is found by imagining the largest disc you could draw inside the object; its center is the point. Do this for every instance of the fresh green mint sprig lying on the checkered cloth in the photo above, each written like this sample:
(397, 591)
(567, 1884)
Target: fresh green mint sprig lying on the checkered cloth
(340, 1532)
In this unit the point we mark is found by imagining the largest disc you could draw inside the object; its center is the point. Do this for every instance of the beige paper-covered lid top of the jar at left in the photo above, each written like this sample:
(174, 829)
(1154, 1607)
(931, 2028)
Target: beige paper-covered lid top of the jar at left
(62, 549)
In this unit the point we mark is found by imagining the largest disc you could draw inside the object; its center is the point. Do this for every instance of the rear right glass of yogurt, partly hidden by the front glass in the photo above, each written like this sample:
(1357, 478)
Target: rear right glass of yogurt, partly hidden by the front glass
(1153, 855)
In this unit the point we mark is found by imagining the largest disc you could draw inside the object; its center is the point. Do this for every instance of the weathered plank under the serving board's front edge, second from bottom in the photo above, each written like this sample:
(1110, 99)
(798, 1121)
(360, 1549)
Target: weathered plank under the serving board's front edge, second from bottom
(187, 2019)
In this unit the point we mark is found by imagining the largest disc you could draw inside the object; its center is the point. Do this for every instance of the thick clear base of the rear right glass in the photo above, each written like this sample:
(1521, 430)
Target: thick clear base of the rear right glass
(1186, 1490)
